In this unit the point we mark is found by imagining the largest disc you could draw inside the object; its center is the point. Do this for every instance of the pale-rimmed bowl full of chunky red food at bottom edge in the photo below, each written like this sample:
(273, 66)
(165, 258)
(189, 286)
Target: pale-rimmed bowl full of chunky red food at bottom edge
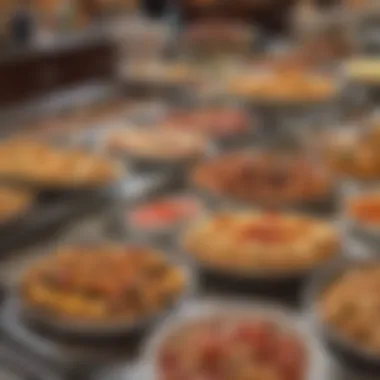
(224, 339)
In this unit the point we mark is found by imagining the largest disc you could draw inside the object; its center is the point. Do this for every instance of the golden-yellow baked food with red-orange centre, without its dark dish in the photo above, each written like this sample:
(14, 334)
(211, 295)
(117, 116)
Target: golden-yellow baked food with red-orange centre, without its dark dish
(254, 243)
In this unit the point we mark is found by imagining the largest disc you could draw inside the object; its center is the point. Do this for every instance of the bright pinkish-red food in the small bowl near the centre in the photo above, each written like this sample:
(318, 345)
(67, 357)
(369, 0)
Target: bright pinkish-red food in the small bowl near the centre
(164, 213)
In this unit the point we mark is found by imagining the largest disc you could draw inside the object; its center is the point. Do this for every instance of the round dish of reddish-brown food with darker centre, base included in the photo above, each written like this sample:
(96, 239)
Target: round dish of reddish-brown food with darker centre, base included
(220, 181)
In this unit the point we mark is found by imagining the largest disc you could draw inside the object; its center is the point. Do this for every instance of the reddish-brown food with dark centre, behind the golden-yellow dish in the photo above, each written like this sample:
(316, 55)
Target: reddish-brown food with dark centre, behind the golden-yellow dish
(267, 178)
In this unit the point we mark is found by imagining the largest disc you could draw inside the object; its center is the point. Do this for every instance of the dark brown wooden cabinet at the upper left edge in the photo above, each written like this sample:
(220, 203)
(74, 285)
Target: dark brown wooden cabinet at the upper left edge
(27, 75)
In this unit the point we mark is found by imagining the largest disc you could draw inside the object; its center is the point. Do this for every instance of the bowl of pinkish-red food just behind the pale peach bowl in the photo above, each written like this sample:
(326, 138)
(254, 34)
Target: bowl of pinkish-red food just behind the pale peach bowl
(225, 126)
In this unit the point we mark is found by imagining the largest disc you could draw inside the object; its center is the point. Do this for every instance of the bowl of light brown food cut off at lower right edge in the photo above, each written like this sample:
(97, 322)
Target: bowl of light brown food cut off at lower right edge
(343, 302)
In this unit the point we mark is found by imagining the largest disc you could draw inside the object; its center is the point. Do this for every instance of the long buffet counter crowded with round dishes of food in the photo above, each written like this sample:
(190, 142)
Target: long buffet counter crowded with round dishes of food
(213, 215)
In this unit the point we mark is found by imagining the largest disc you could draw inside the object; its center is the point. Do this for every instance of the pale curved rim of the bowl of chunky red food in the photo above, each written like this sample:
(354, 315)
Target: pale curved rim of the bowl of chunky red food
(210, 309)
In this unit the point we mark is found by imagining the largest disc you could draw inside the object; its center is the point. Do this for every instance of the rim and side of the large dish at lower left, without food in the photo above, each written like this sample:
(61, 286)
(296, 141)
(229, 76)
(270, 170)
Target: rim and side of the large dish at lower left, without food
(82, 327)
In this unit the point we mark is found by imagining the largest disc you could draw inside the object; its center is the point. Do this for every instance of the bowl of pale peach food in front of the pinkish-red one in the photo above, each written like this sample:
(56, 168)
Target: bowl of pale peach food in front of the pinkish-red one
(150, 148)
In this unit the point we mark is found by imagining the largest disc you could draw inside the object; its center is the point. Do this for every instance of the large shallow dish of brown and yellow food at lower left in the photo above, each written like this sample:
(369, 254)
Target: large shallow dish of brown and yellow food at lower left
(68, 315)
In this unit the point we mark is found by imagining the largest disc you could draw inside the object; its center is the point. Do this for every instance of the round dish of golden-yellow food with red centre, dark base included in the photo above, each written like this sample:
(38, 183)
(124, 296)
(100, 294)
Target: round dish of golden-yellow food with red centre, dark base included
(277, 276)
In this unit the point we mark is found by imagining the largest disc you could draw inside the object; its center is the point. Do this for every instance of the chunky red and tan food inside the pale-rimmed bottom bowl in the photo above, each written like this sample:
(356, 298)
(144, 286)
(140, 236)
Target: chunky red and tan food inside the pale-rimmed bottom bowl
(238, 348)
